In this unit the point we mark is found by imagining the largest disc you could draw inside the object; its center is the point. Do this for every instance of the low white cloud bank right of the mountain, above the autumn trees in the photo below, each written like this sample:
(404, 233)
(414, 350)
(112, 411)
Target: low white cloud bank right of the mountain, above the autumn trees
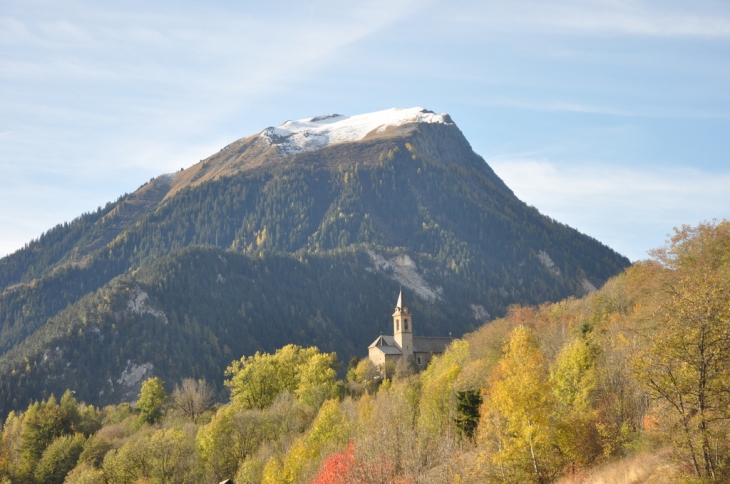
(626, 207)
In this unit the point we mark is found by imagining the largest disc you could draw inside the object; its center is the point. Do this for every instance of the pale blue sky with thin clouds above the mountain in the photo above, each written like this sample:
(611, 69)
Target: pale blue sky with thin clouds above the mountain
(611, 116)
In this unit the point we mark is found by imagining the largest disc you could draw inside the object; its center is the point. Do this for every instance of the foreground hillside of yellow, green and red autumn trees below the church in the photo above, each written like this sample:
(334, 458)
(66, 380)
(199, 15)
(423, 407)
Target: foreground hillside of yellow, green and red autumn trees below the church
(632, 380)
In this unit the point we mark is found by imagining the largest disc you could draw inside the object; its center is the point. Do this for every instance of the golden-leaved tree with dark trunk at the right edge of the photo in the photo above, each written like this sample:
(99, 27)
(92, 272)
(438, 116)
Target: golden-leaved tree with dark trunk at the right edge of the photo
(686, 364)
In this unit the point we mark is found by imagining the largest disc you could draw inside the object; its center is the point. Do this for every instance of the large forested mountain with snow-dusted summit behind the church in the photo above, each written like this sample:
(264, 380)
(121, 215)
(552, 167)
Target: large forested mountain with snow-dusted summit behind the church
(301, 233)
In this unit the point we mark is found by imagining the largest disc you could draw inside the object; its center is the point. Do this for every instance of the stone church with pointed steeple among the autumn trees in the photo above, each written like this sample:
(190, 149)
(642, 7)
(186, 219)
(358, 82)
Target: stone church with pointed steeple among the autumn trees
(403, 346)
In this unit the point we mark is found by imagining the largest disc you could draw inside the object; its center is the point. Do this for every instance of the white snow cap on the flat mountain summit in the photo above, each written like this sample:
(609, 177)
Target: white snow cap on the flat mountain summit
(320, 131)
